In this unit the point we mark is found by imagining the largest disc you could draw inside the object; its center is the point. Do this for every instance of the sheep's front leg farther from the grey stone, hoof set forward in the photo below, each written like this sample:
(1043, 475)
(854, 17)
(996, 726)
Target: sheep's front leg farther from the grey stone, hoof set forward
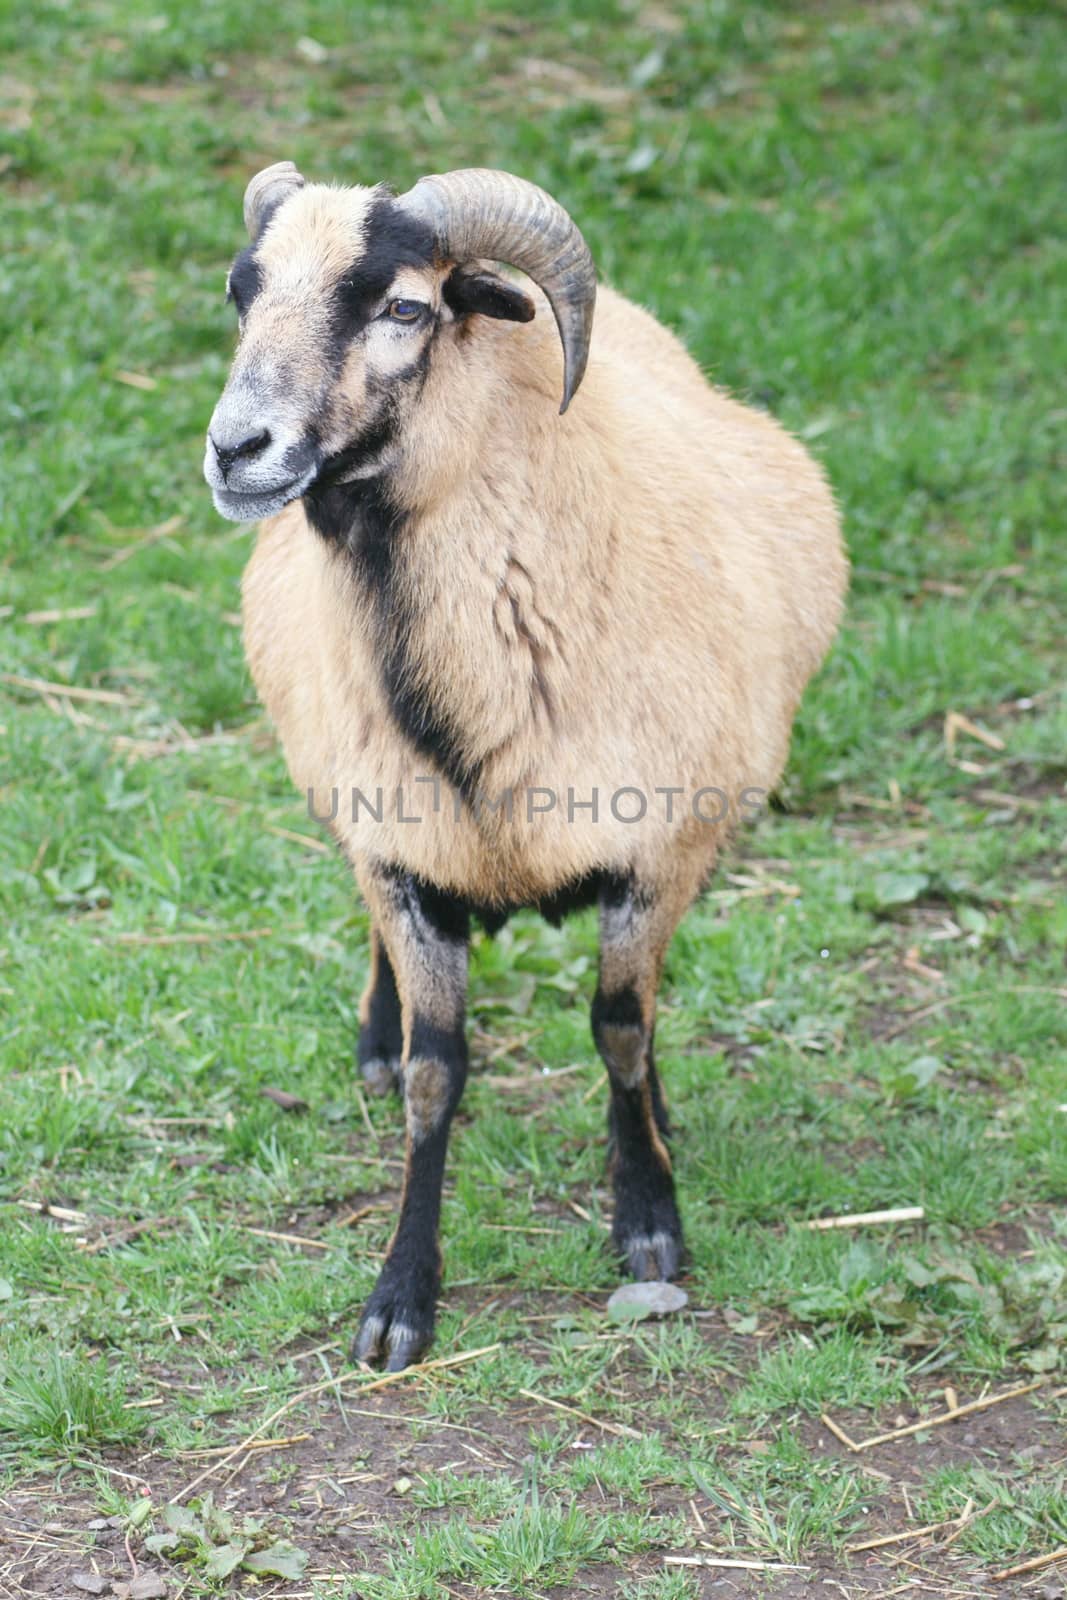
(425, 935)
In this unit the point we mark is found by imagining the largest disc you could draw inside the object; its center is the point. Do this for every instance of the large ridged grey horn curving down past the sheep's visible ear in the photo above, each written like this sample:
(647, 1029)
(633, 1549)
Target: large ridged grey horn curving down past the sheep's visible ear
(478, 212)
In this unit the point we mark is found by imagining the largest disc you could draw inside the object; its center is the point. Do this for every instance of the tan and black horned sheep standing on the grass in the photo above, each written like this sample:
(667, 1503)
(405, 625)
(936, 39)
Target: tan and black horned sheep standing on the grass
(514, 657)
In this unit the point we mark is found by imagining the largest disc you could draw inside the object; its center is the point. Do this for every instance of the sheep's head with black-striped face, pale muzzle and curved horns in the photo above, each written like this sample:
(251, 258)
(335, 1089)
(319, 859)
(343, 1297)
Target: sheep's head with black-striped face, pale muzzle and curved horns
(342, 297)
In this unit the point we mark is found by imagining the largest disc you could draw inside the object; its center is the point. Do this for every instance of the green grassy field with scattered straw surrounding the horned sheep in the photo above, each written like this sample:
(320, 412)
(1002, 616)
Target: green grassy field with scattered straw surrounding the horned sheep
(855, 215)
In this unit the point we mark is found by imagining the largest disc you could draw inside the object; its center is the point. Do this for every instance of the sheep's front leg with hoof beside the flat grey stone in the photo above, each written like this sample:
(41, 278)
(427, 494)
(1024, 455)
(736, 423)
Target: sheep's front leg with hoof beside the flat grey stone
(636, 927)
